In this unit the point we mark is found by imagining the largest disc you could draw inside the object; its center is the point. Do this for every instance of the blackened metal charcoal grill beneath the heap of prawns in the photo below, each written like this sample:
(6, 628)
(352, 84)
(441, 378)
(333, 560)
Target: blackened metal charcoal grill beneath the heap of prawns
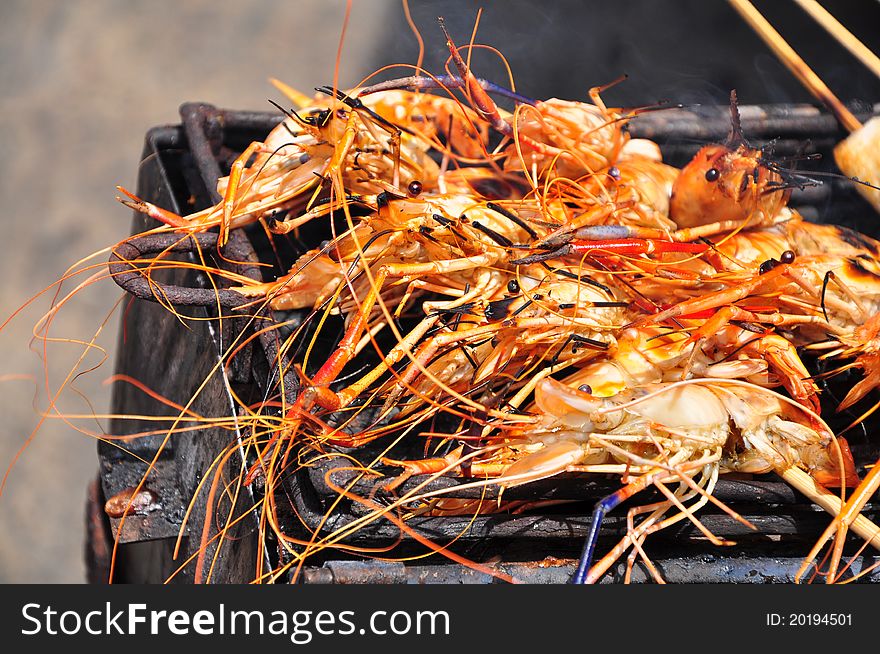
(179, 169)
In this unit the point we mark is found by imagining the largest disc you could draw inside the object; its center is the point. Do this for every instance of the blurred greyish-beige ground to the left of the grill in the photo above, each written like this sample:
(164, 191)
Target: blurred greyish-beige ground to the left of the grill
(81, 83)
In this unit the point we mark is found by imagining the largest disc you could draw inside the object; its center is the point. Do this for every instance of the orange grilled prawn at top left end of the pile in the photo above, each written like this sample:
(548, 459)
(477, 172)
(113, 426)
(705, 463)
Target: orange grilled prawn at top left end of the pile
(330, 140)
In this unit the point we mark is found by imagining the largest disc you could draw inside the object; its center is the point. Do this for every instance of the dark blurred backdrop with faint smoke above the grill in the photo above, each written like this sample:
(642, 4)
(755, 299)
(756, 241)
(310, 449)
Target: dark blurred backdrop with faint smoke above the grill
(689, 51)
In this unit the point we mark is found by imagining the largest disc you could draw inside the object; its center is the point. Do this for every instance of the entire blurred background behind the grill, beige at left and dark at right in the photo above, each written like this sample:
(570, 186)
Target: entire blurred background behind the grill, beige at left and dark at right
(82, 83)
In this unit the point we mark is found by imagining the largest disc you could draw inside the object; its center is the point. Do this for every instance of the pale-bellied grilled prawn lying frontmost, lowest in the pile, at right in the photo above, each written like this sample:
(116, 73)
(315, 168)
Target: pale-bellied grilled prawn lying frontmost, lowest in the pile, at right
(685, 433)
